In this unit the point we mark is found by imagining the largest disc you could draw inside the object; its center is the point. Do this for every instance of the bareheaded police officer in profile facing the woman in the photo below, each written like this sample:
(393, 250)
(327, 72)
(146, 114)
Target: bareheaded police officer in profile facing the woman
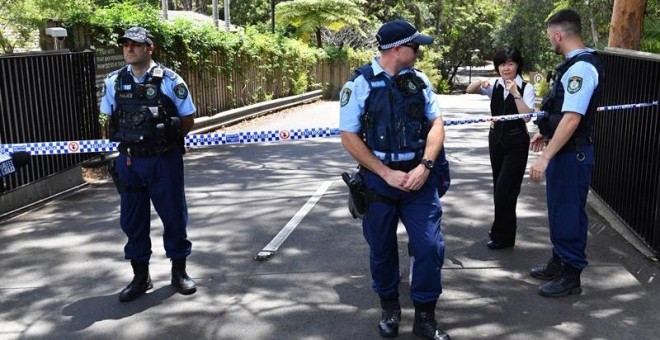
(568, 158)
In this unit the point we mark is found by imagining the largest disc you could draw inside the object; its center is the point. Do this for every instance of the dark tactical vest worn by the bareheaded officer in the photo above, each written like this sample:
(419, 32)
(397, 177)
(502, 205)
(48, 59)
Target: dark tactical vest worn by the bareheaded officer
(554, 101)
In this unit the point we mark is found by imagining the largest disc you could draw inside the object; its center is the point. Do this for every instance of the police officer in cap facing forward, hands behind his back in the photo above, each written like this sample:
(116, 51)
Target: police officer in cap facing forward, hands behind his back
(150, 113)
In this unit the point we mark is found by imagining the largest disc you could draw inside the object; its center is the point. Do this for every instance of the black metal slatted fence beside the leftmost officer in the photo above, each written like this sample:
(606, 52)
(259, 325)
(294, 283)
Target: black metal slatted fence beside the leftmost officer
(47, 97)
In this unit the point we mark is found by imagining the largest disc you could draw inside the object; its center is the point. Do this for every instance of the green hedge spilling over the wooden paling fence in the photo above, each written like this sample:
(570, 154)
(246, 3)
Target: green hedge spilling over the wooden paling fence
(182, 44)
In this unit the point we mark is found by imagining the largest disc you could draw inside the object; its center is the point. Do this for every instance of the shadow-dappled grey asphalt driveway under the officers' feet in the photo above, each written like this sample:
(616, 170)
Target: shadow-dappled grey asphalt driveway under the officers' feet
(63, 265)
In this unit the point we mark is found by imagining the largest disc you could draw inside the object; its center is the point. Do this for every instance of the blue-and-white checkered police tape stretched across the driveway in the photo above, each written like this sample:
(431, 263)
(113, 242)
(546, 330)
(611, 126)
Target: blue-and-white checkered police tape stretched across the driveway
(211, 139)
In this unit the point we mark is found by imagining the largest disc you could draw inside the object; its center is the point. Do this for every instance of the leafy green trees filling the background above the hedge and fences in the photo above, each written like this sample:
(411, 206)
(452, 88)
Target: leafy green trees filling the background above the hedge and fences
(460, 27)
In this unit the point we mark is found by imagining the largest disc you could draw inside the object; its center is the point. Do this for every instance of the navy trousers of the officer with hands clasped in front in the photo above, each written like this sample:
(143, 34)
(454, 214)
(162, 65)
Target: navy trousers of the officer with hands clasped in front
(421, 213)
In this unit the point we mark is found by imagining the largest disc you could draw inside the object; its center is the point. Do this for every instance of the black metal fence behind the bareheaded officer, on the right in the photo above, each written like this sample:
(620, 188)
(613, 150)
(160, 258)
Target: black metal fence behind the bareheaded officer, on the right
(627, 171)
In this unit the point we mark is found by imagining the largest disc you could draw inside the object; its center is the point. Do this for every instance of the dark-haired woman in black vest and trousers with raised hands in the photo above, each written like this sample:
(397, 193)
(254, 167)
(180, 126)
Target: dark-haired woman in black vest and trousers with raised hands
(508, 141)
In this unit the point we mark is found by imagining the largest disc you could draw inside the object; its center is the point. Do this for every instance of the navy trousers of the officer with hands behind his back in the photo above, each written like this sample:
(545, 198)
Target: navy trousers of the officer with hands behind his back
(163, 178)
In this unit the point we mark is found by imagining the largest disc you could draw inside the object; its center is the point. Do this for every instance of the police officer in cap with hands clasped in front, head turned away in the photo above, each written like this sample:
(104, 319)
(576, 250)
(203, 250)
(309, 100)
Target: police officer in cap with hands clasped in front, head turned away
(391, 124)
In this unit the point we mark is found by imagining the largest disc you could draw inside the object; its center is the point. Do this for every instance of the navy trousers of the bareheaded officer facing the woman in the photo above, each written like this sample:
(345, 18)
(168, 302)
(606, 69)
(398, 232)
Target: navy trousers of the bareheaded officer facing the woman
(567, 184)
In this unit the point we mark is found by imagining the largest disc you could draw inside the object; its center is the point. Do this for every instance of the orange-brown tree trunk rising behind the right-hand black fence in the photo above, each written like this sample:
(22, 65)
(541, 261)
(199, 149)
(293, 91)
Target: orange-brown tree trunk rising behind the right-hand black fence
(627, 24)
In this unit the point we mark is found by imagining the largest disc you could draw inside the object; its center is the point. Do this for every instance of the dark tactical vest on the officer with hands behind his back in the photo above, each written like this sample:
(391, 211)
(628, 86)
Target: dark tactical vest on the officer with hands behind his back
(145, 119)
